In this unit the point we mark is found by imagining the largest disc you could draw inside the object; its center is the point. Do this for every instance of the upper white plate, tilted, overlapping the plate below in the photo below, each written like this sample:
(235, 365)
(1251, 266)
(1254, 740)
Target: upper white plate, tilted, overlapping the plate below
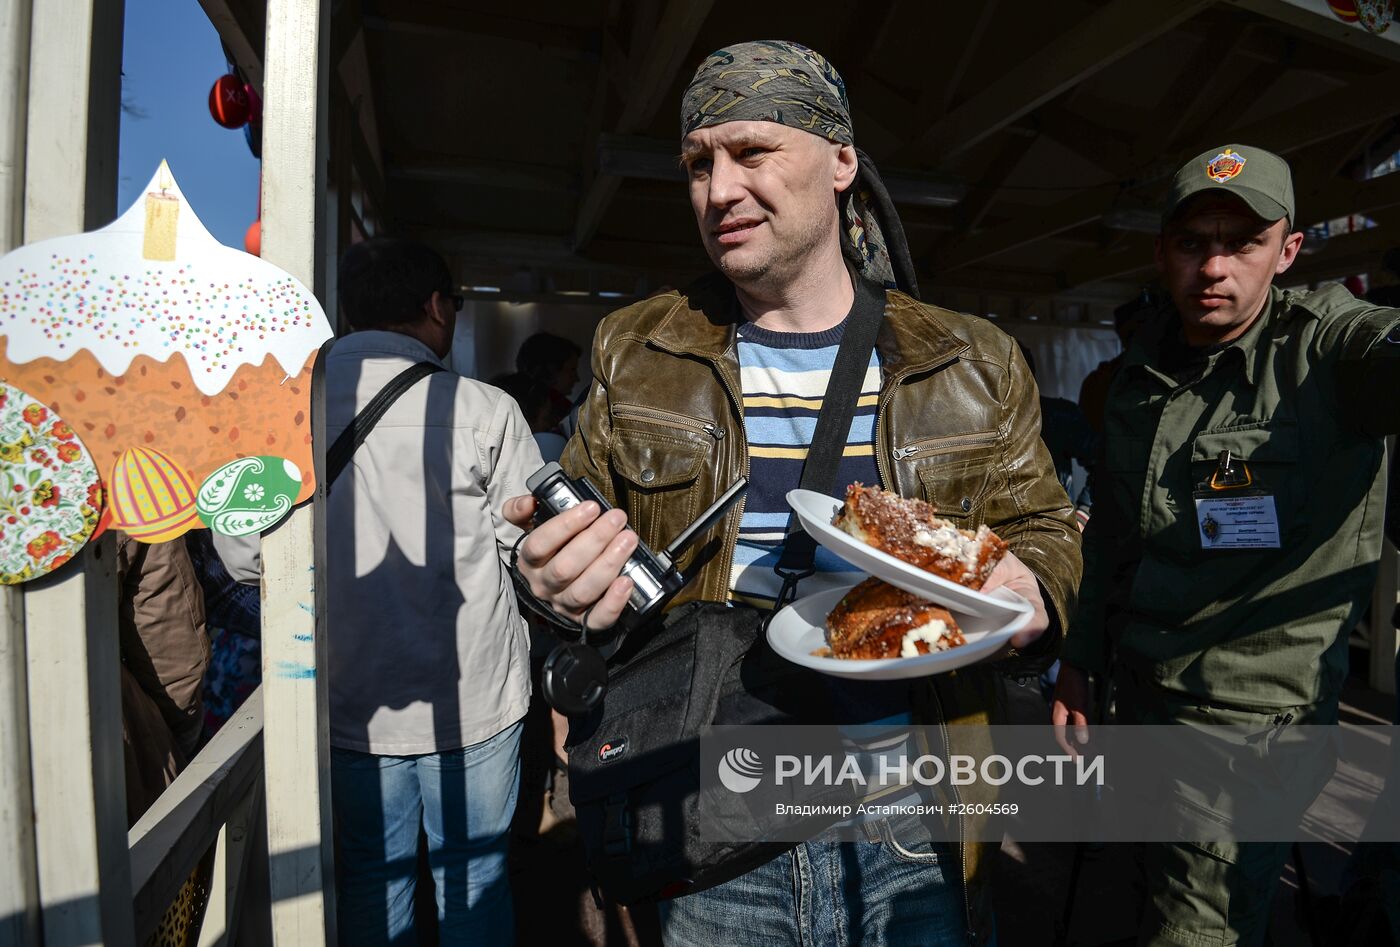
(815, 511)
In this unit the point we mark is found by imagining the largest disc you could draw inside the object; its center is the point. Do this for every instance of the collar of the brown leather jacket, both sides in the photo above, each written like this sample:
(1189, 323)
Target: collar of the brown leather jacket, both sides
(703, 322)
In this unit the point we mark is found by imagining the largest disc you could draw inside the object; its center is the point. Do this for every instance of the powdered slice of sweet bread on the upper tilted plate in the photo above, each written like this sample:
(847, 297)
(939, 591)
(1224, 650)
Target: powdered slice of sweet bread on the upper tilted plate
(912, 532)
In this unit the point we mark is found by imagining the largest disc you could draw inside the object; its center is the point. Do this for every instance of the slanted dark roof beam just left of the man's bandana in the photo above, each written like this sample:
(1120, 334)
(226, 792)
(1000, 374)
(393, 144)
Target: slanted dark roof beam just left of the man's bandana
(653, 68)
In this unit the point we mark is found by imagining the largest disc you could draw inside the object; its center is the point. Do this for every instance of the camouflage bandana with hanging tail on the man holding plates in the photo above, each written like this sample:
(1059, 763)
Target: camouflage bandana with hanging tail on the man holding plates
(790, 85)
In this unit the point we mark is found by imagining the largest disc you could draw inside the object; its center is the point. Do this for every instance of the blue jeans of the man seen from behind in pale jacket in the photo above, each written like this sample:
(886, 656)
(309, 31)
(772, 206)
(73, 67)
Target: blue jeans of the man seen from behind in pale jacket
(464, 799)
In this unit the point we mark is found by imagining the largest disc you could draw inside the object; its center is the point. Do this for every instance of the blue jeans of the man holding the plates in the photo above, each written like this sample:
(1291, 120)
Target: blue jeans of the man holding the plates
(894, 887)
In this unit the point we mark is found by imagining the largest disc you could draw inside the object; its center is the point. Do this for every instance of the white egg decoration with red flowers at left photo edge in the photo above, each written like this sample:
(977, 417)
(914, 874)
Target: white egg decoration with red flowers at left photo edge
(51, 495)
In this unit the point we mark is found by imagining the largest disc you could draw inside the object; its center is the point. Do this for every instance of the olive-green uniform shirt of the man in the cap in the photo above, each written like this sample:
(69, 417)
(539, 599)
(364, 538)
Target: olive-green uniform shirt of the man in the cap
(1304, 399)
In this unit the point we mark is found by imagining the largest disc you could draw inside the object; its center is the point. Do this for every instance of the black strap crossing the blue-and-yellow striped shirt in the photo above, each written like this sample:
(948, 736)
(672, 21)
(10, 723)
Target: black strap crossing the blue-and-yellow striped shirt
(834, 425)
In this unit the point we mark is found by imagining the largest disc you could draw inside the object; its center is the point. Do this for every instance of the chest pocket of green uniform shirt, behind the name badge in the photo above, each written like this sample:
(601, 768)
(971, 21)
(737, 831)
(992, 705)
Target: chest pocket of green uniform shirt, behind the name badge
(1272, 453)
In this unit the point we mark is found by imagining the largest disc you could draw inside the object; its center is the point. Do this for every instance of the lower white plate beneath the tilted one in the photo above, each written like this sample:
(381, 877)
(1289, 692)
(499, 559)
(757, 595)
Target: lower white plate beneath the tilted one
(800, 630)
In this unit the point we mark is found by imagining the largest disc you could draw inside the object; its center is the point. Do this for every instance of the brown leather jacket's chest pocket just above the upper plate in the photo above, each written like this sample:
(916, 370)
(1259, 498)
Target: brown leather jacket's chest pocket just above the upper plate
(957, 474)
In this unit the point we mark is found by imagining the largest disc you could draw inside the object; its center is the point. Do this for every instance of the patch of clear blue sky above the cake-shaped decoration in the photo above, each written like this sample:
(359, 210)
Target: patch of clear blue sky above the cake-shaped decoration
(171, 57)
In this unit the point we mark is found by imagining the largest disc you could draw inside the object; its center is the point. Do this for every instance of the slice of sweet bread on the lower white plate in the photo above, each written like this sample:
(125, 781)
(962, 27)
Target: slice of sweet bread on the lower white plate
(878, 621)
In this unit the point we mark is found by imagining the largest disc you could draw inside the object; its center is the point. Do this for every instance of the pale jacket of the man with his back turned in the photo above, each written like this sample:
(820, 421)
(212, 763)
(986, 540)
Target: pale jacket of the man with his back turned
(428, 649)
